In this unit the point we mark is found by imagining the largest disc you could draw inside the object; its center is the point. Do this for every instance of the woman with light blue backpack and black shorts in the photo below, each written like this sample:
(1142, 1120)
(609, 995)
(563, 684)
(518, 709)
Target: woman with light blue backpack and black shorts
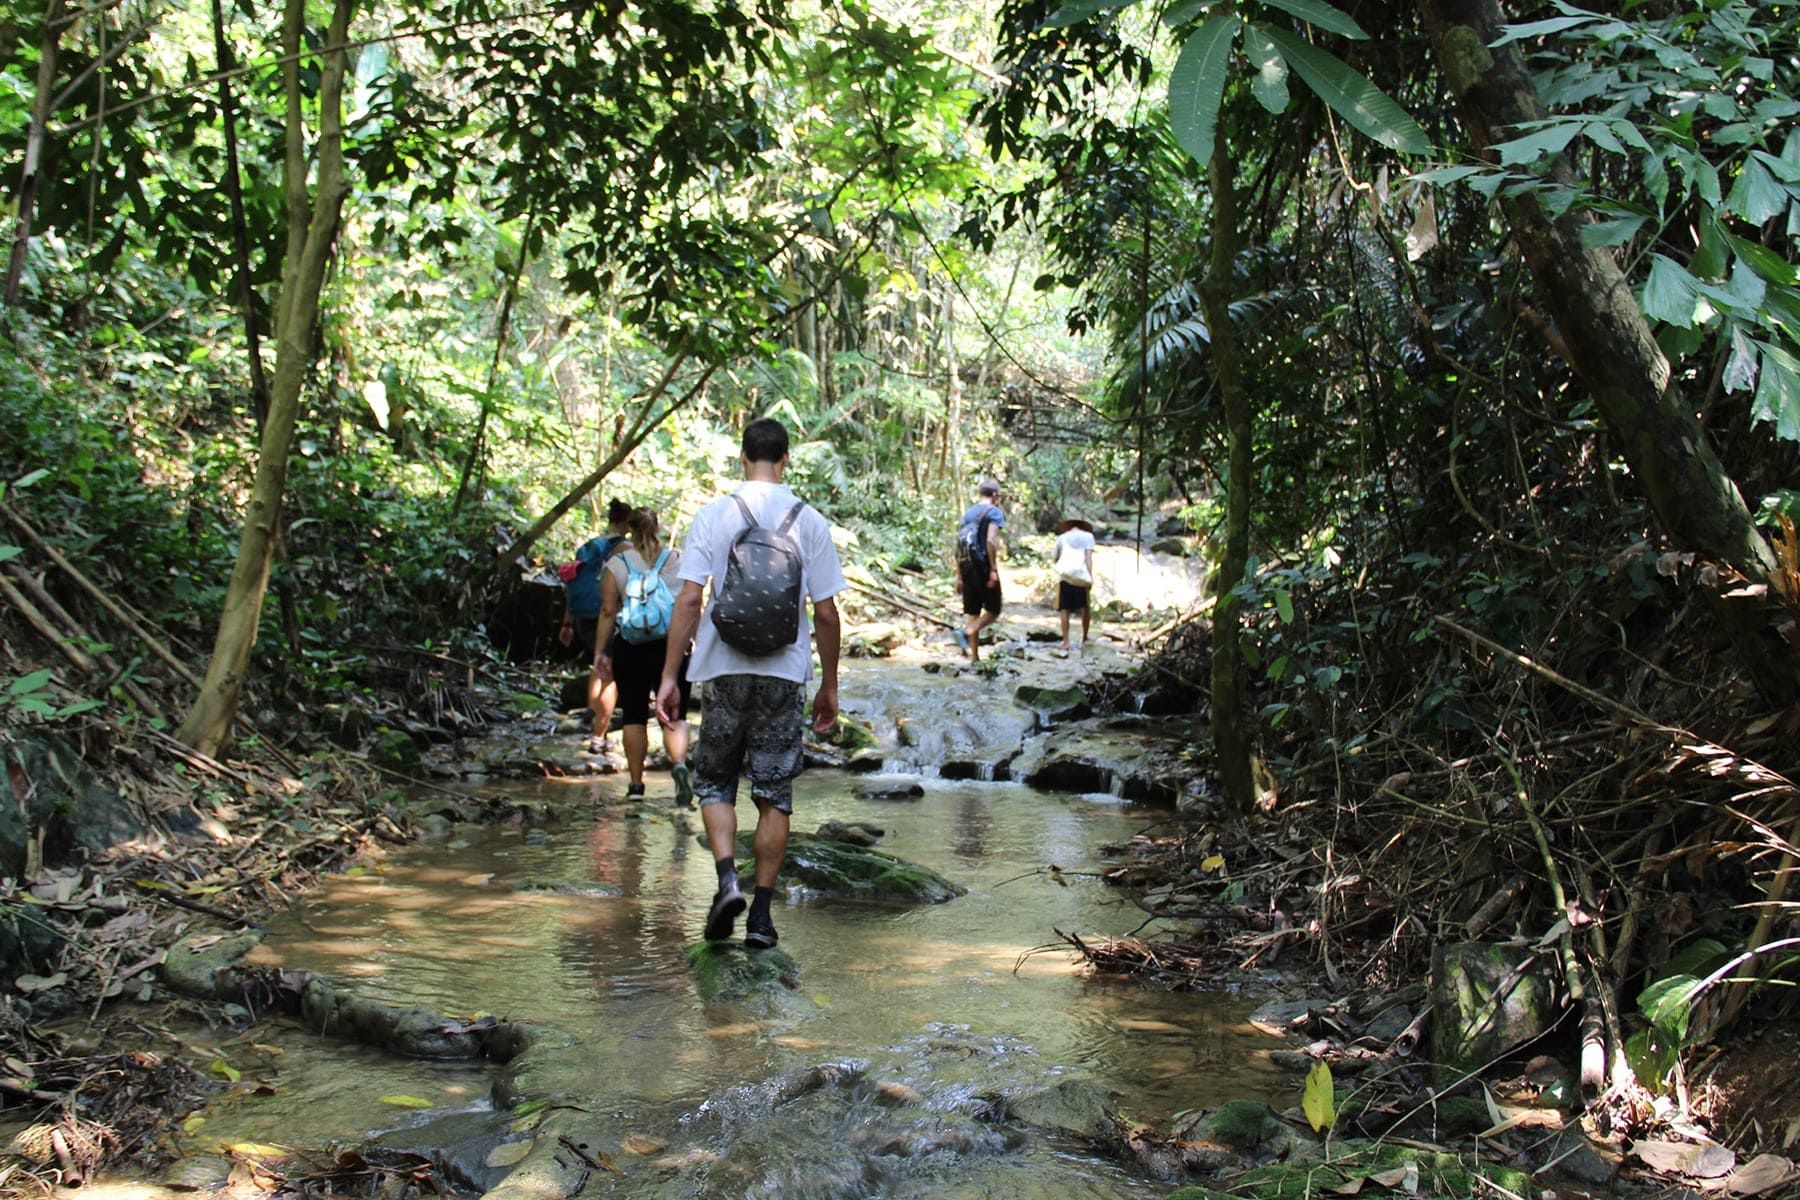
(638, 598)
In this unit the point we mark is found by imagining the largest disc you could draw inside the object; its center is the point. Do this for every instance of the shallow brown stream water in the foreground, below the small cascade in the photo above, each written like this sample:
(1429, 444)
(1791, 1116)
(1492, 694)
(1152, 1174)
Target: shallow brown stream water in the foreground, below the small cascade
(580, 927)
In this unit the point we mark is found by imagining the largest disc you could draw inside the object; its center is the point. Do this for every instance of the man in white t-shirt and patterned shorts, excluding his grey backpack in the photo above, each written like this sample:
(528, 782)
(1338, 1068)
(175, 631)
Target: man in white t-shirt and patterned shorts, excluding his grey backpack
(753, 710)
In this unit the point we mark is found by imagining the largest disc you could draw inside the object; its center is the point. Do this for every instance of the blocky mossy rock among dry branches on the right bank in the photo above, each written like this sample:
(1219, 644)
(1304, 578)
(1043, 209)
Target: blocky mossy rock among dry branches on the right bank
(1486, 999)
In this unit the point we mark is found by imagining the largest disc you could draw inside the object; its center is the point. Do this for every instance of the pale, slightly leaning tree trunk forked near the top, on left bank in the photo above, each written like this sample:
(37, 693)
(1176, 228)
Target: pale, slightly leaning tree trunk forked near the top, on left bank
(312, 228)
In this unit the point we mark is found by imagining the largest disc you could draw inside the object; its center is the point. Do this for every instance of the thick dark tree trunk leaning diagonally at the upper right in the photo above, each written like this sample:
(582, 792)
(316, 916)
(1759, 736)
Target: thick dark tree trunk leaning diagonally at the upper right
(1612, 348)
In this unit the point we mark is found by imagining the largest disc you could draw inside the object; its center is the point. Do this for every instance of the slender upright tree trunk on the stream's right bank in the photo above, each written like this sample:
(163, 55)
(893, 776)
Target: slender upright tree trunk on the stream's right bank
(1230, 733)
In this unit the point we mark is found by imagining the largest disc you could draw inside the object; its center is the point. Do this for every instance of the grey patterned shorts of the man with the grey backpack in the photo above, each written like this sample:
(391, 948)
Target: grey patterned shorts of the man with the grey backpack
(751, 726)
